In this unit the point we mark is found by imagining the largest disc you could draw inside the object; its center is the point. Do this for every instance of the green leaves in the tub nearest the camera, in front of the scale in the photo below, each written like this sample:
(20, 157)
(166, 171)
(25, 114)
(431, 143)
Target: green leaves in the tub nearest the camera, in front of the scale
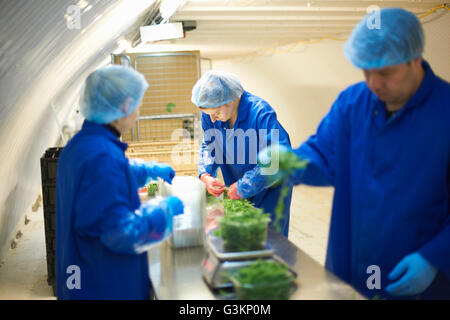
(263, 280)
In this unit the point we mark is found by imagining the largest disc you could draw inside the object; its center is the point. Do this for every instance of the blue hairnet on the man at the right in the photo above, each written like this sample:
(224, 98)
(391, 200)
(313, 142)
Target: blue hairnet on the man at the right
(397, 39)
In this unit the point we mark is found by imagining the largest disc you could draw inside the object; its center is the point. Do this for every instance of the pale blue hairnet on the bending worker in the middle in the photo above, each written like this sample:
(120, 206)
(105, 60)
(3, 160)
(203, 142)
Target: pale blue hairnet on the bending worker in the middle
(216, 88)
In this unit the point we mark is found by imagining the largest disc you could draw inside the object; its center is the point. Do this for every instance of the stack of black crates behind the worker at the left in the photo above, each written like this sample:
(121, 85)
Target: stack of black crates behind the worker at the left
(49, 169)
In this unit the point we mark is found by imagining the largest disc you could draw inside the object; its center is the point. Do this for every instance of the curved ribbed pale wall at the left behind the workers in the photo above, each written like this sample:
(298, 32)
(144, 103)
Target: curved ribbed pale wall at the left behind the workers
(43, 61)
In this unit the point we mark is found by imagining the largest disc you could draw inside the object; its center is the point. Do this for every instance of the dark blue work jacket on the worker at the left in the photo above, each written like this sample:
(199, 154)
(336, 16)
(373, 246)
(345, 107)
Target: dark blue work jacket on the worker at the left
(95, 191)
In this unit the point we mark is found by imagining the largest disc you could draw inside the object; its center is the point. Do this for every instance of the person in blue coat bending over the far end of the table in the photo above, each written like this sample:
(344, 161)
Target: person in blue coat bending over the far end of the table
(236, 125)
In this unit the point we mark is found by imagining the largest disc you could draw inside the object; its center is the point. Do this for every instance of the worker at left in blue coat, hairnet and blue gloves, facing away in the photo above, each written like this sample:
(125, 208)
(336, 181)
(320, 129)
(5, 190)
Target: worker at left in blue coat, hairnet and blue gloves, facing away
(102, 229)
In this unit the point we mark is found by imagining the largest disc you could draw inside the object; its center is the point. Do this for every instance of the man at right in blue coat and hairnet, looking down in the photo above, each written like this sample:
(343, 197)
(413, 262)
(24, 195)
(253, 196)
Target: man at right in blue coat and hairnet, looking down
(385, 147)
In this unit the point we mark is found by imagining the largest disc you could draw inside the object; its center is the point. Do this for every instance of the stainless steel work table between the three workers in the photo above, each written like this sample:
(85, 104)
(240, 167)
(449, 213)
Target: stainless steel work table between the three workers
(176, 273)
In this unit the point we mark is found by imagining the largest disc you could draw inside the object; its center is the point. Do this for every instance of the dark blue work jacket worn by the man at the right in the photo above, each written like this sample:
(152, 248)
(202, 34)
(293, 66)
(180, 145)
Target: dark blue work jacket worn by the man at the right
(392, 183)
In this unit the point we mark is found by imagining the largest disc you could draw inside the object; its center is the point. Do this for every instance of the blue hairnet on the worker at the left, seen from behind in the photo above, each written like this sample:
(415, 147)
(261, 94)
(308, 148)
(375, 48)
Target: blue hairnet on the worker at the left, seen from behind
(106, 89)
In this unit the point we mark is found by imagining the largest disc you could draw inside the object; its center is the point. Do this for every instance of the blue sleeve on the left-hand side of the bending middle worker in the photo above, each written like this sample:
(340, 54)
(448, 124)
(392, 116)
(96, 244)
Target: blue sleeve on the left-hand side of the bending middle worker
(210, 149)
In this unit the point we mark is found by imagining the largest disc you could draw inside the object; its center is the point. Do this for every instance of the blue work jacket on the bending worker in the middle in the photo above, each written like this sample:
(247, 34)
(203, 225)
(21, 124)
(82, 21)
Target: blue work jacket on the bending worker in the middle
(256, 119)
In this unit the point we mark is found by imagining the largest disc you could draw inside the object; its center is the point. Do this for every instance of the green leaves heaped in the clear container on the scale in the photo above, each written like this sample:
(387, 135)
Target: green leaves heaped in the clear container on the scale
(244, 227)
